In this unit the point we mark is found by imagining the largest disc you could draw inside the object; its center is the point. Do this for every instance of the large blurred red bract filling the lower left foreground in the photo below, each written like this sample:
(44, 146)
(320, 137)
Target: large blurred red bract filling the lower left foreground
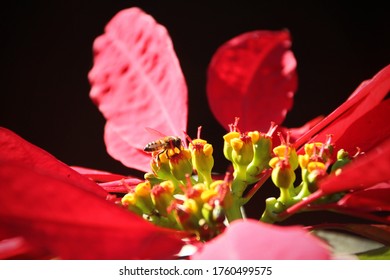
(73, 223)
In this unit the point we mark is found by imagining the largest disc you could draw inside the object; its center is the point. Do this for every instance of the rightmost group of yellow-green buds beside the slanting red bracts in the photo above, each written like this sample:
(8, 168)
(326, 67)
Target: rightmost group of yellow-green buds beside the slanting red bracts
(316, 162)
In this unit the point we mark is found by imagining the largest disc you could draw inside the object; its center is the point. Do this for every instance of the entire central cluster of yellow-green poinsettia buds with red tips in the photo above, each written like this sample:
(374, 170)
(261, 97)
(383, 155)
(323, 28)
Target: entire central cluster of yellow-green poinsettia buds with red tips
(181, 193)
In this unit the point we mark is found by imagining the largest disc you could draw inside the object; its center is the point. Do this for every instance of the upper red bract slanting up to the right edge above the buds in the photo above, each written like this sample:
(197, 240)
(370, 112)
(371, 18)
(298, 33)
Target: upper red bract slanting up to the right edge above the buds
(352, 124)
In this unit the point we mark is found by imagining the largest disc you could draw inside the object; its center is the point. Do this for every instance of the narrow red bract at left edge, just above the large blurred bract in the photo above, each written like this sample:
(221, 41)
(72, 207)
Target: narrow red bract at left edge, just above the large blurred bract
(16, 149)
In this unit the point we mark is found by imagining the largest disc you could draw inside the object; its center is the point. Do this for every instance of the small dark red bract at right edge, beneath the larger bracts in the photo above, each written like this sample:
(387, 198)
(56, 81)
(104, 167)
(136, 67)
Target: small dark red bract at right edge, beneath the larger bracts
(372, 199)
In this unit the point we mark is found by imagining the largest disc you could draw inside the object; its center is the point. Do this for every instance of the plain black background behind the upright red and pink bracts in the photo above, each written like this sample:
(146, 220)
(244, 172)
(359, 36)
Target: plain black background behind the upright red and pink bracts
(46, 53)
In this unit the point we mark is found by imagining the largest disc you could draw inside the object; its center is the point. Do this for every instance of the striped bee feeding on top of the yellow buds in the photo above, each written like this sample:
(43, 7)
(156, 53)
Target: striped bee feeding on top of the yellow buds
(163, 144)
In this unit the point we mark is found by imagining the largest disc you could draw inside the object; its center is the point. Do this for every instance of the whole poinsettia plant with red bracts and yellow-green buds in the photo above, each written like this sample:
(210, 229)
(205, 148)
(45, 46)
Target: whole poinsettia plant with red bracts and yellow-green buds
(339, 163)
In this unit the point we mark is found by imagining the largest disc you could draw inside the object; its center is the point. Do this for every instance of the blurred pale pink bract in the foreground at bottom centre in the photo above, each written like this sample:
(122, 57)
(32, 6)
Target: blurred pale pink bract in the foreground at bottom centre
(253, 240)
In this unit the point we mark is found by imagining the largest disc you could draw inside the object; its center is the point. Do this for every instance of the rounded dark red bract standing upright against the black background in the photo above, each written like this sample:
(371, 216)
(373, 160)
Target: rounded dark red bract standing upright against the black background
(253, 77)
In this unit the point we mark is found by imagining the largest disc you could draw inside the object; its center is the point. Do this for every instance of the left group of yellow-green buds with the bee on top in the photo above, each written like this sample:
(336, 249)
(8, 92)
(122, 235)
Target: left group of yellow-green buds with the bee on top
(180, 192)
